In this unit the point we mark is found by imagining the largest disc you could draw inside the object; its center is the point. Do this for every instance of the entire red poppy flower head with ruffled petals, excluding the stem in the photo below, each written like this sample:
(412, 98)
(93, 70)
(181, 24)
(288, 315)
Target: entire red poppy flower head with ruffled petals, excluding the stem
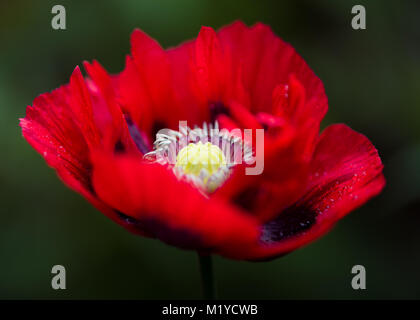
(100, 134)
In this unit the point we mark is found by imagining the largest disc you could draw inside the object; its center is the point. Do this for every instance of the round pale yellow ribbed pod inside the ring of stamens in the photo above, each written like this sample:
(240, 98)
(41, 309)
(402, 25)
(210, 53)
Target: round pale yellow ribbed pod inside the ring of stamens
(198, 156)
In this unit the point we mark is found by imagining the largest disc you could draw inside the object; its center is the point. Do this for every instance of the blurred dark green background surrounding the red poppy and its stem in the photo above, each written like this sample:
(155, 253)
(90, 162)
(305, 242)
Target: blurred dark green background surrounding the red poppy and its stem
(372, 79)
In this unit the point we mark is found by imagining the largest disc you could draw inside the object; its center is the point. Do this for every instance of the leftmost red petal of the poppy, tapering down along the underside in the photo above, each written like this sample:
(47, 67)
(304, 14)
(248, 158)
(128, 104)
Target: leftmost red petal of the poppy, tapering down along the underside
(51, 128)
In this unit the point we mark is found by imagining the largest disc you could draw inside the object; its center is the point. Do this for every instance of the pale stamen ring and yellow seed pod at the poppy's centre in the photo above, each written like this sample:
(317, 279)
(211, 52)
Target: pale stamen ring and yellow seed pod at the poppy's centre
(202, 156)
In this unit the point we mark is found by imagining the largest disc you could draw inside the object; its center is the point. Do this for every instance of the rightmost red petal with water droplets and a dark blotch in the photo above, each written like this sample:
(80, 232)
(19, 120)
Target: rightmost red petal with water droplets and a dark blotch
(346, 171)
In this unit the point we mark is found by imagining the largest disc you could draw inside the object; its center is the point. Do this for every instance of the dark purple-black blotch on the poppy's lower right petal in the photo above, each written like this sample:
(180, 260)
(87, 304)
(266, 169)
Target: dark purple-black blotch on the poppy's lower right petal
(291, 222)
